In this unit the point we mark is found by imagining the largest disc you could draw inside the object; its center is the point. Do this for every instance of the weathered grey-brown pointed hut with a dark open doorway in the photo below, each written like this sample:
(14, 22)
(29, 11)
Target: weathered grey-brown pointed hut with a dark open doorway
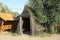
(27, 23)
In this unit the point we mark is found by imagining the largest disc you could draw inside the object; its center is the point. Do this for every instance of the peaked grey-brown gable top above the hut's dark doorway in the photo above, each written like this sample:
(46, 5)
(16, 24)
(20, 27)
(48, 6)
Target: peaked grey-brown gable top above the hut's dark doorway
(27, 12)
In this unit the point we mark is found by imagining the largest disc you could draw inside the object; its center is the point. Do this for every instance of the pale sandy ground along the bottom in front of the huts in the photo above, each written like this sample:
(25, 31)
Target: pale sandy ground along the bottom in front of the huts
(27, 37)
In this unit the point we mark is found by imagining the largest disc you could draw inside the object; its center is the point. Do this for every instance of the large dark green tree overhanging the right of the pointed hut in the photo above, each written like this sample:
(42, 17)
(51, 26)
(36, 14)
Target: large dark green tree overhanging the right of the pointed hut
(47, 11)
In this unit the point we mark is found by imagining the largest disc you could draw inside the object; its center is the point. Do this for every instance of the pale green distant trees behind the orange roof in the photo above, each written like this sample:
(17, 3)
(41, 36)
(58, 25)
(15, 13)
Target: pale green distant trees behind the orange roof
(5, 9)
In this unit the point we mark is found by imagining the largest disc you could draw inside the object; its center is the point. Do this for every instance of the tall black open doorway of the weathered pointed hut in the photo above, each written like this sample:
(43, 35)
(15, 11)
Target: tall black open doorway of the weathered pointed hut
(26, 25)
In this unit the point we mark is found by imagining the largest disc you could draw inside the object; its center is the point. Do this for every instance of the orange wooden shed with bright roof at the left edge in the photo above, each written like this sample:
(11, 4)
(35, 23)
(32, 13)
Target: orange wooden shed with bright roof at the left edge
(7, 22)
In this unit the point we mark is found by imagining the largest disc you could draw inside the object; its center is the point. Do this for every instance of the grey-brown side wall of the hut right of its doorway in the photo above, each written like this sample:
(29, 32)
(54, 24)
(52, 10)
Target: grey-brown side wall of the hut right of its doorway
(36, 27)
